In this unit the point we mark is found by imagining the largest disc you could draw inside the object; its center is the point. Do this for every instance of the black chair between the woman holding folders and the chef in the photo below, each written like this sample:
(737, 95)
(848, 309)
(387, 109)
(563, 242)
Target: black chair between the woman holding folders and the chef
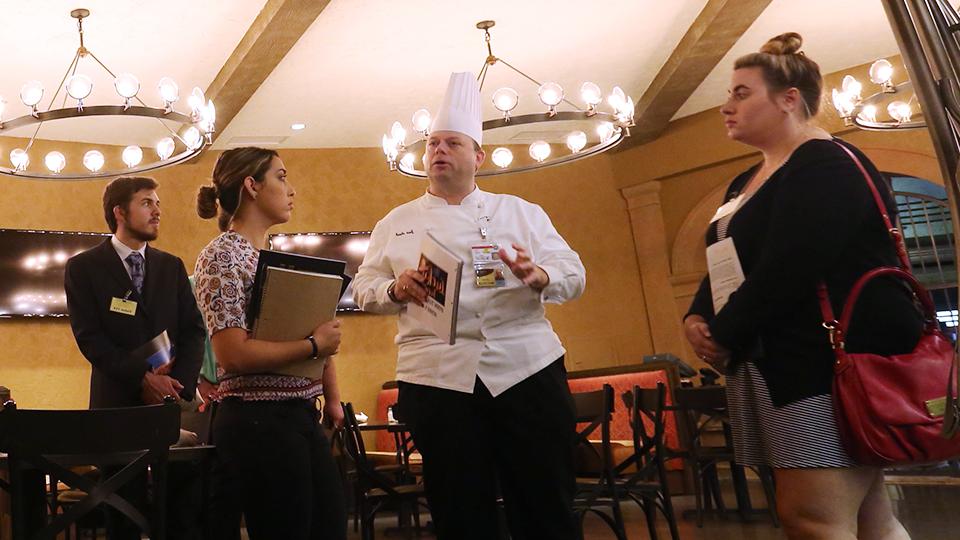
(376, 488)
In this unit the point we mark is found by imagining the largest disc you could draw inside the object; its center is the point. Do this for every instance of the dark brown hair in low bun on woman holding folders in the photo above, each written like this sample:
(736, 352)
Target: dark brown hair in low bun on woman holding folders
(232, 168)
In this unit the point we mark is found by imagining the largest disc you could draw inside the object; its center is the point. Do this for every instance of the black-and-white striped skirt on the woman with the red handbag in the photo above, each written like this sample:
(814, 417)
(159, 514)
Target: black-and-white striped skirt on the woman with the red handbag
(797, 435)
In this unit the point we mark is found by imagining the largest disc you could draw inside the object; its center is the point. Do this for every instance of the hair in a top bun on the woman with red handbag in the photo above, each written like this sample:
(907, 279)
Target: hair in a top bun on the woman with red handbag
(784, 66)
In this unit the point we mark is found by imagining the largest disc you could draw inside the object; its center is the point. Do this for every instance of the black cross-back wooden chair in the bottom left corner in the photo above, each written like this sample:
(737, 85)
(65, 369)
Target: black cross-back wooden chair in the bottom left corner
(127, 441)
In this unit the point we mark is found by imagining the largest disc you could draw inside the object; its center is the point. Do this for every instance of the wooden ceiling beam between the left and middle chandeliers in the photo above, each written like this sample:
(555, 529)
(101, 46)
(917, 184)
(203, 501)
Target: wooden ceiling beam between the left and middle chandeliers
(273, 33)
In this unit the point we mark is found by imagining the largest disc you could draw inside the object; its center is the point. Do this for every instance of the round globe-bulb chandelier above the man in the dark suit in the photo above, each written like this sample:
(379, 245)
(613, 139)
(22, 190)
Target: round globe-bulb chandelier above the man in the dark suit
(177, 145)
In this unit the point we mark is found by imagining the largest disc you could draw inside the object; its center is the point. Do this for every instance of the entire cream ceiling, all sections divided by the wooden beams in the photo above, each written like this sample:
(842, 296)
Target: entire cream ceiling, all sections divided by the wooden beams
(364, 63)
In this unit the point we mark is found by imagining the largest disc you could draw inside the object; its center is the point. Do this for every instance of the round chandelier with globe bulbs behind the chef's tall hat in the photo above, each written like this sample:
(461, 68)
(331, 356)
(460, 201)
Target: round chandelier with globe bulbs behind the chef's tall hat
(606, 129)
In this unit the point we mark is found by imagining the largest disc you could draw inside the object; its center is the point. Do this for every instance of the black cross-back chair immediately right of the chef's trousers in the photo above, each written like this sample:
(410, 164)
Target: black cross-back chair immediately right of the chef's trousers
(597, 489)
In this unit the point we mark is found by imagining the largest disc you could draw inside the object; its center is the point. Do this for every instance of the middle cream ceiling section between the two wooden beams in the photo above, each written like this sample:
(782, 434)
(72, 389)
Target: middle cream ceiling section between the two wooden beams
(365, 63)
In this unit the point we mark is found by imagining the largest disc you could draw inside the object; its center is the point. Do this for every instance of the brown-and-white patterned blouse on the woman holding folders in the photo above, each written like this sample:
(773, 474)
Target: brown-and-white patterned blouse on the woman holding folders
(224, 280)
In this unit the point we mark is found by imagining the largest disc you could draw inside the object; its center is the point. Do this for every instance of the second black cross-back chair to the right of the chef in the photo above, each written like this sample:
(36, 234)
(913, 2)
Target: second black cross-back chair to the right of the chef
(643, 475)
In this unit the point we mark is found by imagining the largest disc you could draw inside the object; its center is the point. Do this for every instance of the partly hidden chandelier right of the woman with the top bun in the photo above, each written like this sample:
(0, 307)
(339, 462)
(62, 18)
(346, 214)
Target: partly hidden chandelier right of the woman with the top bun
(862, 112)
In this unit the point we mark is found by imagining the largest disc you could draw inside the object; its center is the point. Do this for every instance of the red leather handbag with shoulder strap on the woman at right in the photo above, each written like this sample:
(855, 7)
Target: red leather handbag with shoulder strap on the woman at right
(894, 410)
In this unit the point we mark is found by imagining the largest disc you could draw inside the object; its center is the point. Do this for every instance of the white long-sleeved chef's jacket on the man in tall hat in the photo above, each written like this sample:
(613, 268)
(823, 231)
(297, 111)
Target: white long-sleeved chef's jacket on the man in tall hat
(503, 335)
